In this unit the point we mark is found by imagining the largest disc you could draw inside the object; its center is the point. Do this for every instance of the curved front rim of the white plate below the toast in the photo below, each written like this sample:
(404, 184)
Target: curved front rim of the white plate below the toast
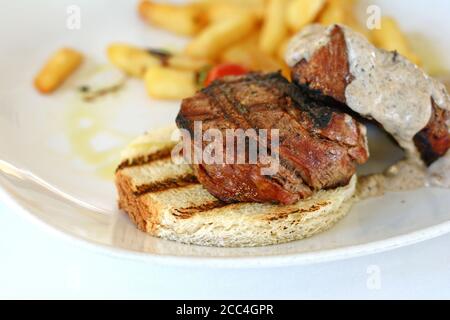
(251, 262)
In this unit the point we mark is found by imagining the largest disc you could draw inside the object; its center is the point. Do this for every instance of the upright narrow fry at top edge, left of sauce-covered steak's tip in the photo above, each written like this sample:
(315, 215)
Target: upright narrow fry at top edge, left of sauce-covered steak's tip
(274, 27)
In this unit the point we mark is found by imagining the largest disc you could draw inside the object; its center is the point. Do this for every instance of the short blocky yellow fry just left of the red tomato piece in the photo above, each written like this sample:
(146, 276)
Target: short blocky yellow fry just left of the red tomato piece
(168, 83)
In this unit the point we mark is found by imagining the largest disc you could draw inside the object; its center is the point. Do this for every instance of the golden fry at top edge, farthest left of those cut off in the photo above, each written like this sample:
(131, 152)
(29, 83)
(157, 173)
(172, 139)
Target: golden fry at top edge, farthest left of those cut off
(185, 20)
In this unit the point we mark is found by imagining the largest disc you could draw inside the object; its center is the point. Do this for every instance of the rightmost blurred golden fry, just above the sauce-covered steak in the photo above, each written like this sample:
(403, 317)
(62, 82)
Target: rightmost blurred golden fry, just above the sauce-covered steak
(391, 38)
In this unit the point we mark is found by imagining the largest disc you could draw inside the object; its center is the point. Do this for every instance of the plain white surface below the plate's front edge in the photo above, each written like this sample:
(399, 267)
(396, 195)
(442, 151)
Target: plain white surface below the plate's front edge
(36, 264)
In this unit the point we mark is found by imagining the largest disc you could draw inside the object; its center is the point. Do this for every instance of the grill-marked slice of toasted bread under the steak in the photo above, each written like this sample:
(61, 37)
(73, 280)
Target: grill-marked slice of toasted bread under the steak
(165, 200)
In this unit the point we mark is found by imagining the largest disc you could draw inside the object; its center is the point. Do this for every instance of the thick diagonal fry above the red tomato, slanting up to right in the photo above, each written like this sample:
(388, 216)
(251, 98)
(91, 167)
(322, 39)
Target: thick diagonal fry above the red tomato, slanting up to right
(220, 35)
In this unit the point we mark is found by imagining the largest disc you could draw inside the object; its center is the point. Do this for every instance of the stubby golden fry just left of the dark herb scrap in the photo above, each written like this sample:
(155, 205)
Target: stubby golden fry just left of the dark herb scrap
(132, 60)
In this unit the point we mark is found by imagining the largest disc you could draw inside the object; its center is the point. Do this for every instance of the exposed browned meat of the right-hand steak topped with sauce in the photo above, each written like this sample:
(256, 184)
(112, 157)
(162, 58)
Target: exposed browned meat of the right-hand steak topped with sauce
(328, 72)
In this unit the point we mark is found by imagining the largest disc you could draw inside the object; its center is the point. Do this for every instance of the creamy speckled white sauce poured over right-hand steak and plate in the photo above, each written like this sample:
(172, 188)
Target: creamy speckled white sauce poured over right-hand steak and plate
(392, 90)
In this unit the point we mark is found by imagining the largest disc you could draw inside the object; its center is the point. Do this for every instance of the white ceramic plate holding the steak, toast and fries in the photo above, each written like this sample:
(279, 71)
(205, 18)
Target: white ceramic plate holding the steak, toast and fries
(56, 152)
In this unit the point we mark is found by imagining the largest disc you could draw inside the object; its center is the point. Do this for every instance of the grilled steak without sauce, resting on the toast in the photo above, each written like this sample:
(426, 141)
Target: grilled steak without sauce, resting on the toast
(319, 146)
